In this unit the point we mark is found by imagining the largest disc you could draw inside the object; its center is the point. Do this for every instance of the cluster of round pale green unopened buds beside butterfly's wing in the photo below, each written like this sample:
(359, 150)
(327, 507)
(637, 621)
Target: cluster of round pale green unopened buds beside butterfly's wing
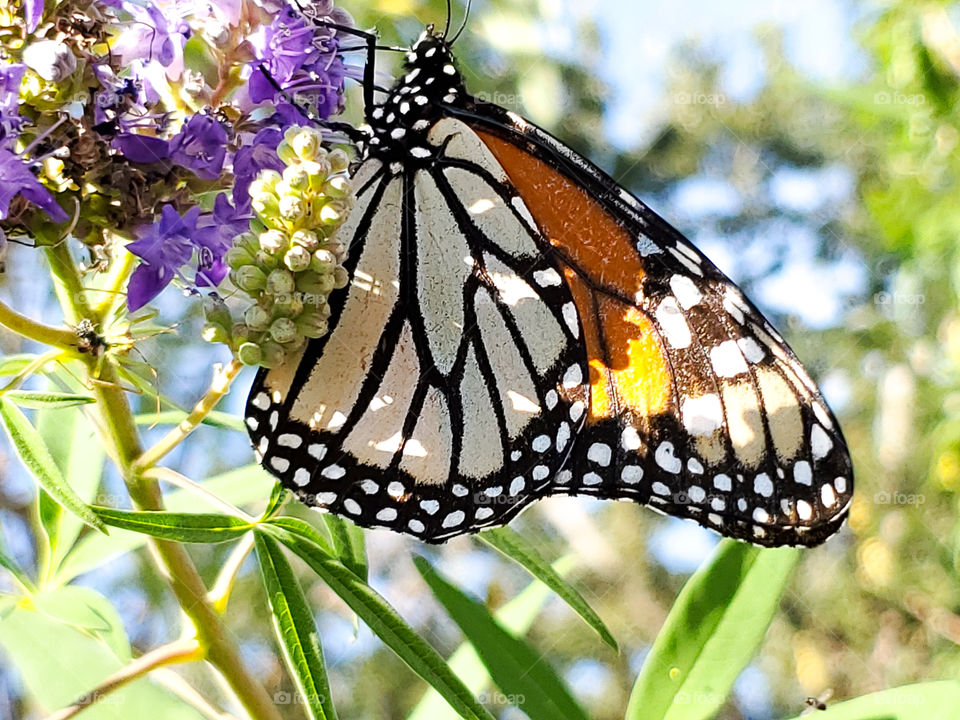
(291, 261)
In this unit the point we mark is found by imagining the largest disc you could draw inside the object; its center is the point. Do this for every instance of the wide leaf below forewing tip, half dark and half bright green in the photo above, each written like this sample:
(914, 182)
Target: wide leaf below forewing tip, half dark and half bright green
(713, 629)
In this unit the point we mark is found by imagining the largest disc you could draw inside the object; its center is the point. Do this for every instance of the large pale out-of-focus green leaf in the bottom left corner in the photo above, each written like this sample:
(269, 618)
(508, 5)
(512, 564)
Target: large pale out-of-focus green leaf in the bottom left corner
(69, 647)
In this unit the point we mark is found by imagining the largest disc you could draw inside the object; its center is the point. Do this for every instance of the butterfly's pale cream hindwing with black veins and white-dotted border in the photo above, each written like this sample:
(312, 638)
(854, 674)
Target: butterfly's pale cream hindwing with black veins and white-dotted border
(419, 411)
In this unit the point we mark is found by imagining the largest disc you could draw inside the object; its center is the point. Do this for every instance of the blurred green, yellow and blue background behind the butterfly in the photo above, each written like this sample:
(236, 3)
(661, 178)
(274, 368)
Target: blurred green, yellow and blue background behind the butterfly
(833, 199)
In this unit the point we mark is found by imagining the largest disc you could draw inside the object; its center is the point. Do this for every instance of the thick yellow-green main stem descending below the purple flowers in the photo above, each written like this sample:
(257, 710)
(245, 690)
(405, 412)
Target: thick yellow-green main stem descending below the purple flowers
(122, 441)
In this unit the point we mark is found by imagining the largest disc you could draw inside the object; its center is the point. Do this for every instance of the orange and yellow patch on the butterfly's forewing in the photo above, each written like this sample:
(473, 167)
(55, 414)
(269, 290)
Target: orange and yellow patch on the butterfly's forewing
(628, 365)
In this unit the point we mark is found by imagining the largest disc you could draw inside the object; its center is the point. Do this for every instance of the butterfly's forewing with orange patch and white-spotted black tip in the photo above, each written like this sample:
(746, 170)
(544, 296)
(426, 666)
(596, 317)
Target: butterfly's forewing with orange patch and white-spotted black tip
(698, 408)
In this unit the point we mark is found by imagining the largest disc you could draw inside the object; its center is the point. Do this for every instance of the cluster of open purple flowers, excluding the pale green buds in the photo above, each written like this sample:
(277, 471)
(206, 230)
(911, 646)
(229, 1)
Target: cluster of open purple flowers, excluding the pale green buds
(157, 154)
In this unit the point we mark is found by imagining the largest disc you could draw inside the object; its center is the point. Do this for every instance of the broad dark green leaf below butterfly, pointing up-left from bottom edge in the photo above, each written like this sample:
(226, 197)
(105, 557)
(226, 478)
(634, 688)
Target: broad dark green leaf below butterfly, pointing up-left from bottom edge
(517, 669)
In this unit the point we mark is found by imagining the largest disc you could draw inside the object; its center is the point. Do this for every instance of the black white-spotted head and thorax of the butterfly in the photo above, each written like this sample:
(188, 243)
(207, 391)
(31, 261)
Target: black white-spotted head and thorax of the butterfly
(400, 124)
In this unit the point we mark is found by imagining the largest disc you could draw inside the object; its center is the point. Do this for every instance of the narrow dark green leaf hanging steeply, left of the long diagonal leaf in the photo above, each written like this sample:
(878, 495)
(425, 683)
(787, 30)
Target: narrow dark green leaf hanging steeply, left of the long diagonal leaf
(295, 628)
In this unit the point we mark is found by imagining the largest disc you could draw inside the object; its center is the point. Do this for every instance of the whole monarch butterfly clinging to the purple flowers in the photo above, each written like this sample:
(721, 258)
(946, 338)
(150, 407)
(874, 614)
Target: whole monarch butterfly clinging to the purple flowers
(518, 325)
